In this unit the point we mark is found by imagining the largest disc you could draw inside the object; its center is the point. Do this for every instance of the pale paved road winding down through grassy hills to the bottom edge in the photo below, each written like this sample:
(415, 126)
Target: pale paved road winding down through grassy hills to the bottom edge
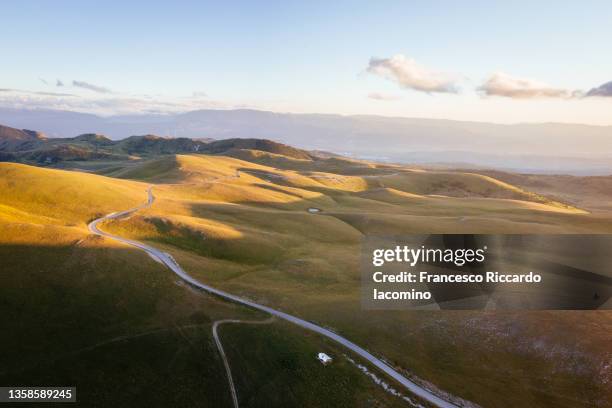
(169, 261)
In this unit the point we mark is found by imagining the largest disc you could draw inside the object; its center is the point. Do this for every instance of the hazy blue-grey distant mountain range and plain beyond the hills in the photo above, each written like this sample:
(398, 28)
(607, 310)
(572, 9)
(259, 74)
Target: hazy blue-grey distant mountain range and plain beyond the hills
(549, 147)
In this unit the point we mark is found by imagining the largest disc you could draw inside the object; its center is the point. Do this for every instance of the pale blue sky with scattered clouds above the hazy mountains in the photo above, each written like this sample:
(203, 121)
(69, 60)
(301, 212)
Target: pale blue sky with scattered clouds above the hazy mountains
(520, 62)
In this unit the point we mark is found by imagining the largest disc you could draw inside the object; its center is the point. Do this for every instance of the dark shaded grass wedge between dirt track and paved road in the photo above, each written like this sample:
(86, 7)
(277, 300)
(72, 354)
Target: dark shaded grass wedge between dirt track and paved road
(285, 352)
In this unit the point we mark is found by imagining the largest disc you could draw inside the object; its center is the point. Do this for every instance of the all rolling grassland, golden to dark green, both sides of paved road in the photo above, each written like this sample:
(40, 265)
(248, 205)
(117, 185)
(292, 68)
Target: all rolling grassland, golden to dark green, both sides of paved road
(245, 226)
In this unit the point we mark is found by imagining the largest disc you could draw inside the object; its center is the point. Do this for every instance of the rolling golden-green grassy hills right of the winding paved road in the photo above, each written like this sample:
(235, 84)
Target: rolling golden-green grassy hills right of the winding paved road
(242, 223)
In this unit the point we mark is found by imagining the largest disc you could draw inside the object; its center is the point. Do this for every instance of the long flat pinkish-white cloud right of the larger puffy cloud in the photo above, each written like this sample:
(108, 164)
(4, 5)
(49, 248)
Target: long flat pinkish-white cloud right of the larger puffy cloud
(502, 84)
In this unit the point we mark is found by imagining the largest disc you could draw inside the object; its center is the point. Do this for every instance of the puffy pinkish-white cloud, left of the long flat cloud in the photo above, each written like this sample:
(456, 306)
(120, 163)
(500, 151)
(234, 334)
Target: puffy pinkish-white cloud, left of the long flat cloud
(409, 74)
